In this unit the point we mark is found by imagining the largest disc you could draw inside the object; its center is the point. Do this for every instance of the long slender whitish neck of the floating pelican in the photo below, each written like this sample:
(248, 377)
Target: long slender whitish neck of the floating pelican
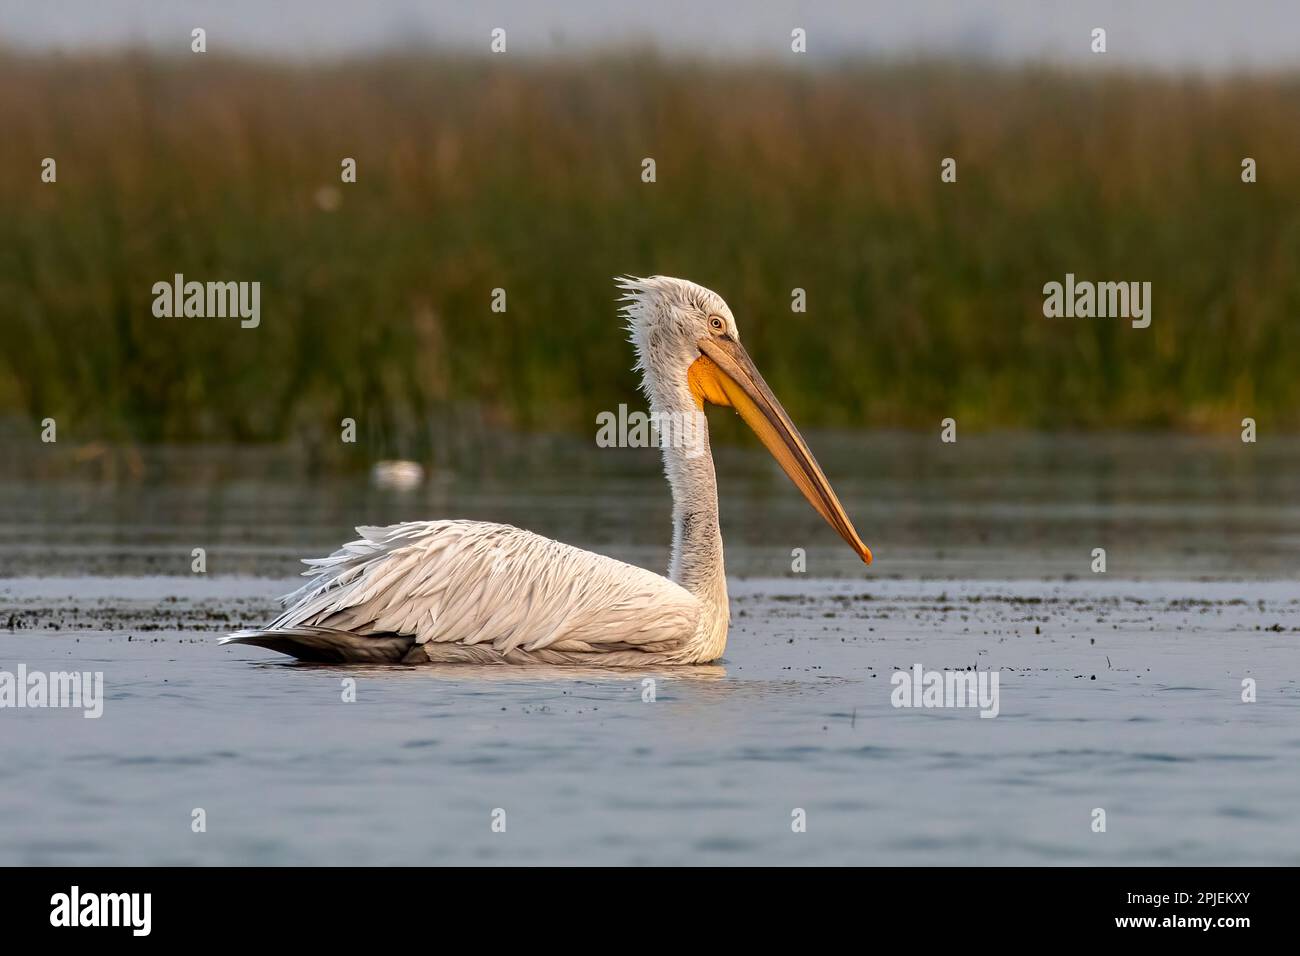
(697, 542)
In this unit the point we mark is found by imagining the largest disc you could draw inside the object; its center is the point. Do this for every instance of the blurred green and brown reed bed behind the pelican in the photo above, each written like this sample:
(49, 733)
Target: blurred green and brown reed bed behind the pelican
(925, 300)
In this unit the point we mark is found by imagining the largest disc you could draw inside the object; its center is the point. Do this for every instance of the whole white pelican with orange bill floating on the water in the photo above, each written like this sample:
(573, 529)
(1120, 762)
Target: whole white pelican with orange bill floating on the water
(478, 592)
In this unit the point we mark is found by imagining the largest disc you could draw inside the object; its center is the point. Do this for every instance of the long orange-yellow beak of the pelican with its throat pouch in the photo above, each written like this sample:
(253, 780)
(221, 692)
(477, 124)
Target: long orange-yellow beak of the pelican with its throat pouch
(726, 375)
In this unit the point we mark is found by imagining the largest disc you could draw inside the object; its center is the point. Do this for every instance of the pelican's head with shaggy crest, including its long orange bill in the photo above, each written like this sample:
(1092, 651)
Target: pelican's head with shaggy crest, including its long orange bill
(687, 341)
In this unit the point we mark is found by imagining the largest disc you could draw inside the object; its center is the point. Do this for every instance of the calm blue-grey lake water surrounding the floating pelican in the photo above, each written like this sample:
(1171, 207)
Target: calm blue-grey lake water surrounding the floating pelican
(1119, 691)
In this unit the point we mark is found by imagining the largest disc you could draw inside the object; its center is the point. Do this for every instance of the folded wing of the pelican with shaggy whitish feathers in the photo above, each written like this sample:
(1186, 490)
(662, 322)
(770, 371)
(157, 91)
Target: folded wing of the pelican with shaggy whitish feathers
(476, 583)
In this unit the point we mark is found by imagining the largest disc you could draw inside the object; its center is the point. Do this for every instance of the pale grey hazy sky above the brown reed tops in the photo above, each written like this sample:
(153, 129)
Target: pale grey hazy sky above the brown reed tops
(1210, 36)
